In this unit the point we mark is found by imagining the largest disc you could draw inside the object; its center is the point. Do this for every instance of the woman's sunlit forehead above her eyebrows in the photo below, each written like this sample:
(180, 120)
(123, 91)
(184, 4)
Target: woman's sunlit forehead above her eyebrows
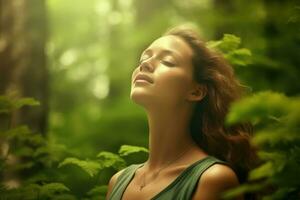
(174, 44)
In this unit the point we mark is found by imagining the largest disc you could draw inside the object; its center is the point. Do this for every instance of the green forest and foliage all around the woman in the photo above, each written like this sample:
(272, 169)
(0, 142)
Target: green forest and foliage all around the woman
(65, 70)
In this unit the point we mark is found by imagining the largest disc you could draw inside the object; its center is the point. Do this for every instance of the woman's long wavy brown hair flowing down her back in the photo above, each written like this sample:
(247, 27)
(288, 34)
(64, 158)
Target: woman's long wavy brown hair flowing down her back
(207, 126)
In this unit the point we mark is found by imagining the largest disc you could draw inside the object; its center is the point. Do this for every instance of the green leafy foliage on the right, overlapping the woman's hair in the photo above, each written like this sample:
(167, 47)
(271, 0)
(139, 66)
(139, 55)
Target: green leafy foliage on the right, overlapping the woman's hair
(278, 139)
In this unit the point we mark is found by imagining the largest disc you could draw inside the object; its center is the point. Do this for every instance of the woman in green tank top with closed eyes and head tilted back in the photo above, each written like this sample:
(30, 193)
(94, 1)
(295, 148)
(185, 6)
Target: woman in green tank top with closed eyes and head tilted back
(186, 90)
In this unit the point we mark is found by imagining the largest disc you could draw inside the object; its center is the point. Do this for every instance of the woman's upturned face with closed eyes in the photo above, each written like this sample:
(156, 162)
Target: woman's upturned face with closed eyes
(167, 63)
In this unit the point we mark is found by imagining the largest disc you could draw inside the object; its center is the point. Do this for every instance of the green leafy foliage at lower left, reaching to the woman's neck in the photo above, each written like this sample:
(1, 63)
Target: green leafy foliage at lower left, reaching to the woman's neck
(38, 152)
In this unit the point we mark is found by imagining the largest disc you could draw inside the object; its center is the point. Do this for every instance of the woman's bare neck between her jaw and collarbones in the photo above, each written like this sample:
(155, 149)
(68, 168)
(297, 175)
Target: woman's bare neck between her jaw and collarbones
(169, 135)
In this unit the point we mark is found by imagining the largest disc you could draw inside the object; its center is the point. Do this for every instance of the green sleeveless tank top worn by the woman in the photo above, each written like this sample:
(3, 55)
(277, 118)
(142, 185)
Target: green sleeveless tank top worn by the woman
(182, 188)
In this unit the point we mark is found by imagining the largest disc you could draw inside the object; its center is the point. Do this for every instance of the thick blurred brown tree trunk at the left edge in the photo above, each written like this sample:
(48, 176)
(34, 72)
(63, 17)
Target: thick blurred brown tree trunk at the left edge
(23, 60)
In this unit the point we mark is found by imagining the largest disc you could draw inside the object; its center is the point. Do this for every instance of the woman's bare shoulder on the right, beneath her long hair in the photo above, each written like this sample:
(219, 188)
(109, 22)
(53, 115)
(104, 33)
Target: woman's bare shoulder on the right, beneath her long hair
(214, 181)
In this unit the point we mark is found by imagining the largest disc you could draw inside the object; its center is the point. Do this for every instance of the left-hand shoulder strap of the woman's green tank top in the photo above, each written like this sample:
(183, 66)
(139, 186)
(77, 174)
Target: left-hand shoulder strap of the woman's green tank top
(122, 181)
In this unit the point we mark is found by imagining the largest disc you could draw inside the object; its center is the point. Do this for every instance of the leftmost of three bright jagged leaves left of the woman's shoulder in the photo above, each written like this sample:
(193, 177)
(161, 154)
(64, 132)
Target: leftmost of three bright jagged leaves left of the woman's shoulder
(89, 166)
